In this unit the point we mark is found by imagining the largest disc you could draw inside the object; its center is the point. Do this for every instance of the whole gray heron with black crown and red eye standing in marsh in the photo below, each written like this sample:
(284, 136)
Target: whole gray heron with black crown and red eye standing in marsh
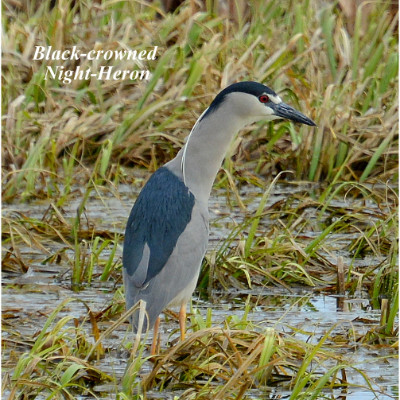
(167, 231)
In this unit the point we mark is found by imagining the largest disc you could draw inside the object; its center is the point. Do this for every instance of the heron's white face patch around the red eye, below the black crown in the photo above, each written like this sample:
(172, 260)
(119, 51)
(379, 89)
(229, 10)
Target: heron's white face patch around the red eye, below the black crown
(252, 107)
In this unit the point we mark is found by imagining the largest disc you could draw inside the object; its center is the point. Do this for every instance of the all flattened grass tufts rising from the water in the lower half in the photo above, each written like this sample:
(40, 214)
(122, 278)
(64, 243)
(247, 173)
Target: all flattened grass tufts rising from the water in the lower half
(232, 360)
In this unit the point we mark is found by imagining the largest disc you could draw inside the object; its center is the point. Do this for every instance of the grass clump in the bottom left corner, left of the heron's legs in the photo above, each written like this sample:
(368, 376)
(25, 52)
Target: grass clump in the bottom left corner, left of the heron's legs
(54, 366)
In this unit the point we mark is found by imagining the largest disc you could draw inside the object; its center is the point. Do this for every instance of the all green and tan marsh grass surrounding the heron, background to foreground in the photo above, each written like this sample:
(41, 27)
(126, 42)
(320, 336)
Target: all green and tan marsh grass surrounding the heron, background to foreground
(65, 144)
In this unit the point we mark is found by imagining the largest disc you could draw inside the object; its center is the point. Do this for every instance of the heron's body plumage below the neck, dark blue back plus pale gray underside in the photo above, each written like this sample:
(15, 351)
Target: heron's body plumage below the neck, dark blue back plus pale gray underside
(155, 243)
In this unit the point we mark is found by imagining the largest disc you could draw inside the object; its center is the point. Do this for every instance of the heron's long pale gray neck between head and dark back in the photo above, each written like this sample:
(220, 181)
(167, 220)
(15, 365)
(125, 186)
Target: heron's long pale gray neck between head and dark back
(206, 146)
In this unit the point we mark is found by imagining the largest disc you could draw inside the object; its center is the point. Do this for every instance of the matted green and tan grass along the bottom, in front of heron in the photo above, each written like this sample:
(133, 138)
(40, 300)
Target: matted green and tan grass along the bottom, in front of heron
(222, 362)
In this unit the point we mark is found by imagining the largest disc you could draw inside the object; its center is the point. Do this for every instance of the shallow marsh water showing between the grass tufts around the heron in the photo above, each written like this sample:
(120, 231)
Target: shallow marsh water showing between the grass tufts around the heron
(29, 298)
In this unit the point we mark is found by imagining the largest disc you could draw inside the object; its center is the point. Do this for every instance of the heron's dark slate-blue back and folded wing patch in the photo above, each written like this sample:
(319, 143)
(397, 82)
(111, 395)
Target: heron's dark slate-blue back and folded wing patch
(160, 215)
